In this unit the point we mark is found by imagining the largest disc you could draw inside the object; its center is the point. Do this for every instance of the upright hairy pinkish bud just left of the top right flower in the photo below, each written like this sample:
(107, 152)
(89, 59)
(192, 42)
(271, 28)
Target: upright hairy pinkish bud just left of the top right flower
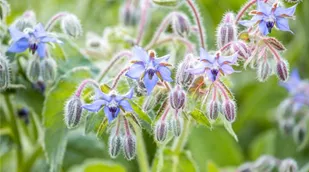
(227, 30)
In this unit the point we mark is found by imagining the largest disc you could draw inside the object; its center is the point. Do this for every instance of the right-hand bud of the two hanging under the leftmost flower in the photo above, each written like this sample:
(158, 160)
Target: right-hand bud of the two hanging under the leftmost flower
(48, 69)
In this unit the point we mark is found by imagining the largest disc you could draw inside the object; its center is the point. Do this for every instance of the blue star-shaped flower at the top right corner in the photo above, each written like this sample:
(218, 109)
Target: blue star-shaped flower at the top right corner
(269, 16)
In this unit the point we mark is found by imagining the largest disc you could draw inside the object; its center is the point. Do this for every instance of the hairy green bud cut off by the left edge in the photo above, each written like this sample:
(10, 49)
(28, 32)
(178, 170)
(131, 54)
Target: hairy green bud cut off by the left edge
(4, 73)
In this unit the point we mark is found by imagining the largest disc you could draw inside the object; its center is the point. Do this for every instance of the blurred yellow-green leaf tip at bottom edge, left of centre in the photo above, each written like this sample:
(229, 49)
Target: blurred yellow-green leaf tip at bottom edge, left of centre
(95, 165)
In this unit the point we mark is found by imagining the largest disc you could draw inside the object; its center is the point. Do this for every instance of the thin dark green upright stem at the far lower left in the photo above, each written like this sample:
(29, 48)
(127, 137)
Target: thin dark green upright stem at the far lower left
(13, 121)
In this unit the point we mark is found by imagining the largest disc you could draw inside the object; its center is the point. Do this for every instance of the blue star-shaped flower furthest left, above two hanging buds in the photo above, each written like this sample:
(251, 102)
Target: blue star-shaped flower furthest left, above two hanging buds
(35, 40)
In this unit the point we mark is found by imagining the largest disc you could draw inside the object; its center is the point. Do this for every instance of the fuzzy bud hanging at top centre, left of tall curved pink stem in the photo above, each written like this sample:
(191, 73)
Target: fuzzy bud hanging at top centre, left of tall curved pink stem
(181, 24)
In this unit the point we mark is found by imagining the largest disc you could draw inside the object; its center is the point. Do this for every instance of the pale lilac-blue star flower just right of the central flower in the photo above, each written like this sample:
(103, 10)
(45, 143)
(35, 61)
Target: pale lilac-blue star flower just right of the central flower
(213, 65)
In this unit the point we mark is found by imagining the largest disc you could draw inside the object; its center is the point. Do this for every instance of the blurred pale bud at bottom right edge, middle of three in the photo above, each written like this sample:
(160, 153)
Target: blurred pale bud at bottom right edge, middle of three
(265, 163)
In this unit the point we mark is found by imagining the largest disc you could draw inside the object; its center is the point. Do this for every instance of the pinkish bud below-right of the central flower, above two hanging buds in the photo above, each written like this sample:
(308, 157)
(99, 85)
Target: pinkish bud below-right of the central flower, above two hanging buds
(177, 98)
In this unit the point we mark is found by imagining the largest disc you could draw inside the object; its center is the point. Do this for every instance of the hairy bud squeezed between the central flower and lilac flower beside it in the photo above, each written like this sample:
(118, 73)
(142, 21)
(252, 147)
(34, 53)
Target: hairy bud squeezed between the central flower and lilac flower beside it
(183, 77)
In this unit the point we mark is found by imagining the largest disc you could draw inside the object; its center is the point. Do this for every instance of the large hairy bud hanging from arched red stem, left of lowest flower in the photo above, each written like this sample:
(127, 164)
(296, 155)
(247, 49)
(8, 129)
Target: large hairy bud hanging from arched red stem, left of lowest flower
(73, 112)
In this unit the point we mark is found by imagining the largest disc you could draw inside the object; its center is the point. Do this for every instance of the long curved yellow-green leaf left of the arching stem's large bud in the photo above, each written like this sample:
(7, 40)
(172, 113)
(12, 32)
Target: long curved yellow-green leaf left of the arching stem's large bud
(55, 134)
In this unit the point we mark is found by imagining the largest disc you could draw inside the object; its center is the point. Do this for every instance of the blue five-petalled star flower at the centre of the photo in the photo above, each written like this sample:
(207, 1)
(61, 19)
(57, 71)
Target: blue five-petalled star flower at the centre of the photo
(148, 68)
